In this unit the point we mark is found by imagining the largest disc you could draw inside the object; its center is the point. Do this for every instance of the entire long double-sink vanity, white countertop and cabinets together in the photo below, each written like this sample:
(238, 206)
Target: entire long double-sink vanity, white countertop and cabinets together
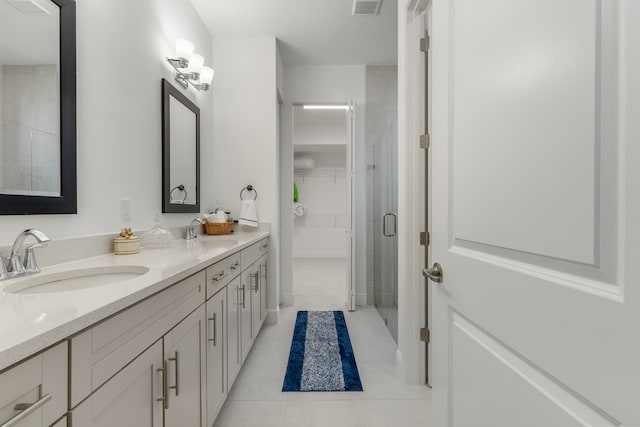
(152, 339)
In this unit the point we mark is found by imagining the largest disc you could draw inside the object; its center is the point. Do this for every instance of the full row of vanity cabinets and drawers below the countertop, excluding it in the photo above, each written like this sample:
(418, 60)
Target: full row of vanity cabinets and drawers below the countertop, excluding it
(168, 360)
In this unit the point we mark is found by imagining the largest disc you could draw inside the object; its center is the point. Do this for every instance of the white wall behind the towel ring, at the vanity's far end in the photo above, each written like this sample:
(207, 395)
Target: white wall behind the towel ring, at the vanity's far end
(246, 133)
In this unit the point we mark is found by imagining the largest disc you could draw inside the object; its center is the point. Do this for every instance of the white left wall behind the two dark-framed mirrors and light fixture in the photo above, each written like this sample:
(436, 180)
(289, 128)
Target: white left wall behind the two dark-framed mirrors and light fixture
(121, 51)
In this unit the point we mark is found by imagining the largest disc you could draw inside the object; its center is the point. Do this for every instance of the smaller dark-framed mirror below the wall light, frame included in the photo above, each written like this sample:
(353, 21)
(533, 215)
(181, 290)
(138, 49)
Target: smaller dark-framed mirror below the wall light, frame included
(180, 152)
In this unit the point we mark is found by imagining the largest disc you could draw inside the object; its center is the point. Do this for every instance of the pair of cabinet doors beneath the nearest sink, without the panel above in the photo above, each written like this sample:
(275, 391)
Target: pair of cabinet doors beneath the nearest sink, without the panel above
(155, 391)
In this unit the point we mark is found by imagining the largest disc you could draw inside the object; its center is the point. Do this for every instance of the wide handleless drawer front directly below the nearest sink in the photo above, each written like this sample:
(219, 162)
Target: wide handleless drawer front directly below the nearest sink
(100, 352)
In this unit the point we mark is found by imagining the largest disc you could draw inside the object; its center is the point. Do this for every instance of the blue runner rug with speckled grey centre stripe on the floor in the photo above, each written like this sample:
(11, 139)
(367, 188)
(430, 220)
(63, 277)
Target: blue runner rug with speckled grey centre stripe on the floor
(321, 357)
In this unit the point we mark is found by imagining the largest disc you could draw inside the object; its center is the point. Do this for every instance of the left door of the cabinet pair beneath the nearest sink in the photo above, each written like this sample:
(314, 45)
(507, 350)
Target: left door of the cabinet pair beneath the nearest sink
(130, 398)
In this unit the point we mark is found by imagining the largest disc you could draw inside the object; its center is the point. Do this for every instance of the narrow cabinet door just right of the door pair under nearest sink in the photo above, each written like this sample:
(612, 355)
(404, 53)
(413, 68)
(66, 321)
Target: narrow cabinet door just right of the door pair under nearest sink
(216, 357)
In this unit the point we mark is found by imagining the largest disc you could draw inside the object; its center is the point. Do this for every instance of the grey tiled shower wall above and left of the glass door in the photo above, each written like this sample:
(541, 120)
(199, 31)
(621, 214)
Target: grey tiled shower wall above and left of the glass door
(381, 113)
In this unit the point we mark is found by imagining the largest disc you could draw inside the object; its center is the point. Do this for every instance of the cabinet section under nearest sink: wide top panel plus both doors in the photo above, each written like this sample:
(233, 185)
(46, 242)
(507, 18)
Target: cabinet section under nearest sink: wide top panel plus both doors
(123, 365)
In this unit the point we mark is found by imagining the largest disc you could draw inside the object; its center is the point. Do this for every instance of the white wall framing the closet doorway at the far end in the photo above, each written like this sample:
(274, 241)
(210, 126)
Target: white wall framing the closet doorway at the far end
(322, 84)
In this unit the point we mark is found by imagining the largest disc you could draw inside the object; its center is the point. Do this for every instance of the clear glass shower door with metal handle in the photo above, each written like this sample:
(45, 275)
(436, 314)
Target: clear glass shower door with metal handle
(385, 243)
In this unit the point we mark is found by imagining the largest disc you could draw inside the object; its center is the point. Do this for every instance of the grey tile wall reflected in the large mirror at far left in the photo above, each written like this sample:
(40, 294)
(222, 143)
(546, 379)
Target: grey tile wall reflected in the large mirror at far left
(29, 129)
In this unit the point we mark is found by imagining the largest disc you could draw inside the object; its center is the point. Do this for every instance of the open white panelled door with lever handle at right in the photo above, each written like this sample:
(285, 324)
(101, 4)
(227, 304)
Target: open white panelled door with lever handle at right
(536, 212)
